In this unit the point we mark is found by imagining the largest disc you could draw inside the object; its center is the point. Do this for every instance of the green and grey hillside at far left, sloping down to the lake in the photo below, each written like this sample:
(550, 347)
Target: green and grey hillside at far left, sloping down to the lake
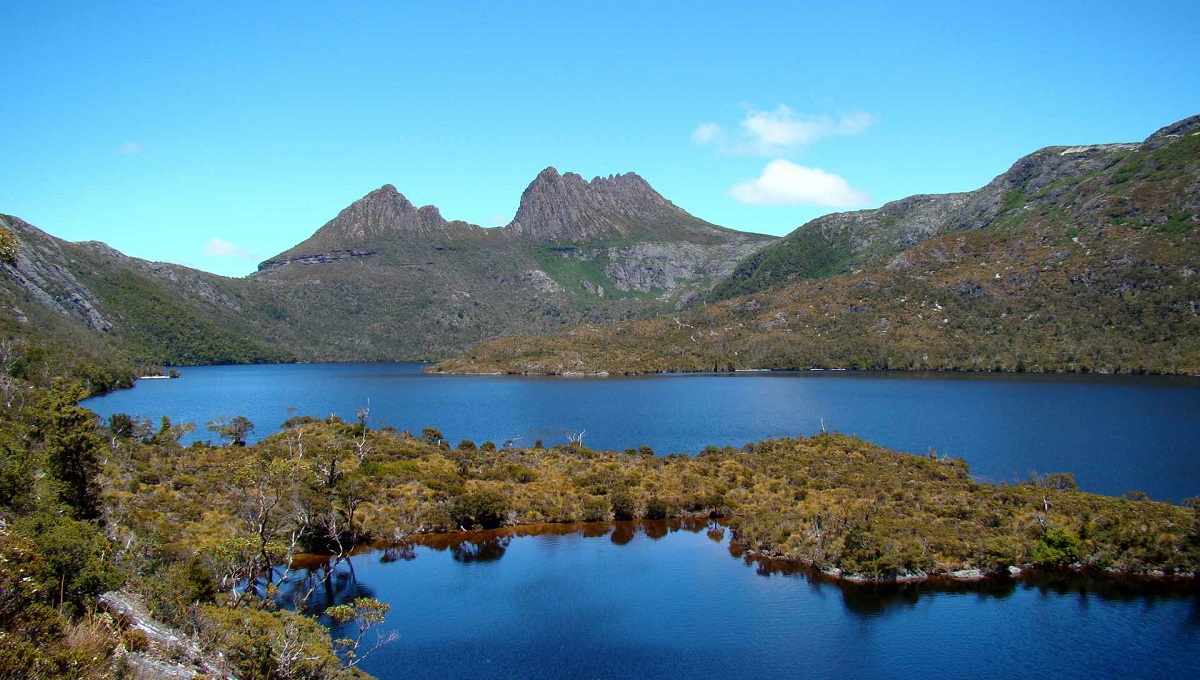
(94, 302)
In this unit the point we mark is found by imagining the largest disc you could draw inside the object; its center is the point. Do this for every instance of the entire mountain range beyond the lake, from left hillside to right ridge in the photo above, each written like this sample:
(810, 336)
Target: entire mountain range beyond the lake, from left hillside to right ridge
(1078, 258)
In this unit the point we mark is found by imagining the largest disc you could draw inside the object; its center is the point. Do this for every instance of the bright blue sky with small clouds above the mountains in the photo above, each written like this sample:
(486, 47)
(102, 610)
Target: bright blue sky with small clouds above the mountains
(217, 136)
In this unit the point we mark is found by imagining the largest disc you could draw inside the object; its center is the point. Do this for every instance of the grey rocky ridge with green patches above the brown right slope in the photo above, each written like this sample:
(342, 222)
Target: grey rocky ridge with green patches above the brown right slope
(1153, 183)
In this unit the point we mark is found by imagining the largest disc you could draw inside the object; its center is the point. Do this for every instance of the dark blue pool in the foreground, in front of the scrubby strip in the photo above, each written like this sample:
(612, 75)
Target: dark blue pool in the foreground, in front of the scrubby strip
(669, 600)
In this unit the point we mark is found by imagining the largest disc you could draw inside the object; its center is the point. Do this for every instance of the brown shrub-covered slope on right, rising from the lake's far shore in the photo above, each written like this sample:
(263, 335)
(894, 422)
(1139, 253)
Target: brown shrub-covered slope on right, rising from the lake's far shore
(1100, 279)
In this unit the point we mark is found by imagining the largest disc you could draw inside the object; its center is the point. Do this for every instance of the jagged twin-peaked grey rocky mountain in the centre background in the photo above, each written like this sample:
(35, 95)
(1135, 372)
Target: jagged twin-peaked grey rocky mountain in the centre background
(394, 281)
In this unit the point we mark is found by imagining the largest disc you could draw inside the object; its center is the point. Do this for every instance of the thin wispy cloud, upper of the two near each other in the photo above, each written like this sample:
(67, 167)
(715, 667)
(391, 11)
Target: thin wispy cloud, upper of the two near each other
(779, 131)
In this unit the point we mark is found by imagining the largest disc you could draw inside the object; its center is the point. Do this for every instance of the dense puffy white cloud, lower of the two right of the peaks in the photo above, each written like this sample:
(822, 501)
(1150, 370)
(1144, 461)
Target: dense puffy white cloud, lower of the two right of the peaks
(784, 183)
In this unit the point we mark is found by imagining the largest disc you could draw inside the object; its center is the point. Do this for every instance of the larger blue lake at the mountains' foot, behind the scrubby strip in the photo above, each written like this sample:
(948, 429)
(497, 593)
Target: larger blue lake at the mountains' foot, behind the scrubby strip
(1115, 434)
